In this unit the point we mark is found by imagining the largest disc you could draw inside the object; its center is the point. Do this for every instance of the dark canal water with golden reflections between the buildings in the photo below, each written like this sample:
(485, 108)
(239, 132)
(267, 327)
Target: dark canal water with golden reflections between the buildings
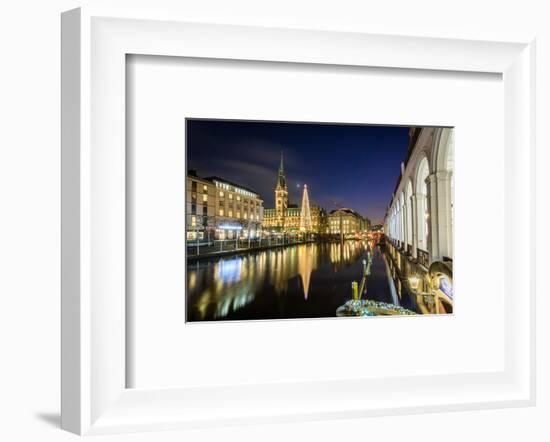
(300, 281)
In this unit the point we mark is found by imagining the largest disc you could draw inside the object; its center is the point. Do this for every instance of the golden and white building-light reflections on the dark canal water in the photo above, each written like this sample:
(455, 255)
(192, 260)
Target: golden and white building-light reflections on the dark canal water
(235, 281)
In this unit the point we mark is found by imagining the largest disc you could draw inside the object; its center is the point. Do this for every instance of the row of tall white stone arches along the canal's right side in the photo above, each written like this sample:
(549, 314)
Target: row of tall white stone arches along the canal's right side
(420, 216)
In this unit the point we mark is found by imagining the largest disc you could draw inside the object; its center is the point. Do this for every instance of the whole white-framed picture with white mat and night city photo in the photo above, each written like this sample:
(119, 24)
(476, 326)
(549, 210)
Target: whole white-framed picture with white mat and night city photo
(257, 230)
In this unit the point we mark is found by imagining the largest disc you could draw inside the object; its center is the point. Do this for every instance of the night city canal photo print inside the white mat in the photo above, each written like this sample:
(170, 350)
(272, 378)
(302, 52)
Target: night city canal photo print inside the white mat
(262, 244)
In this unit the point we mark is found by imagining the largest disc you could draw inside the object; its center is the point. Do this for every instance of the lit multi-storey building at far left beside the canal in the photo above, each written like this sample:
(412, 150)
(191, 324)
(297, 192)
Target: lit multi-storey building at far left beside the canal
(219, 209)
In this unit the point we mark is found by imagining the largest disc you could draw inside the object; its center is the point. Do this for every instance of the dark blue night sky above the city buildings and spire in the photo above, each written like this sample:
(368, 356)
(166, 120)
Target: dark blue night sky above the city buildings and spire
(354, 166)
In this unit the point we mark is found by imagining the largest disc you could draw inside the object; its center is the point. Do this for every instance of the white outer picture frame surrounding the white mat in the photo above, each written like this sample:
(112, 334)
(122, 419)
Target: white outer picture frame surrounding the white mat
(95, 399)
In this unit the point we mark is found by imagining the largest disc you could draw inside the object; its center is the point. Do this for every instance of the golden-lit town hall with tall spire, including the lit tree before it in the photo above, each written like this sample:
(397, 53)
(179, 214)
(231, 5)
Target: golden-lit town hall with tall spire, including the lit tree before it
(290, 218)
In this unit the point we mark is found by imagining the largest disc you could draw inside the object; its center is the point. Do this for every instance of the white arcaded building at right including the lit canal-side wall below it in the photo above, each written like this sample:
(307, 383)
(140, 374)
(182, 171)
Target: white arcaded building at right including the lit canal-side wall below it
(419, 218)
